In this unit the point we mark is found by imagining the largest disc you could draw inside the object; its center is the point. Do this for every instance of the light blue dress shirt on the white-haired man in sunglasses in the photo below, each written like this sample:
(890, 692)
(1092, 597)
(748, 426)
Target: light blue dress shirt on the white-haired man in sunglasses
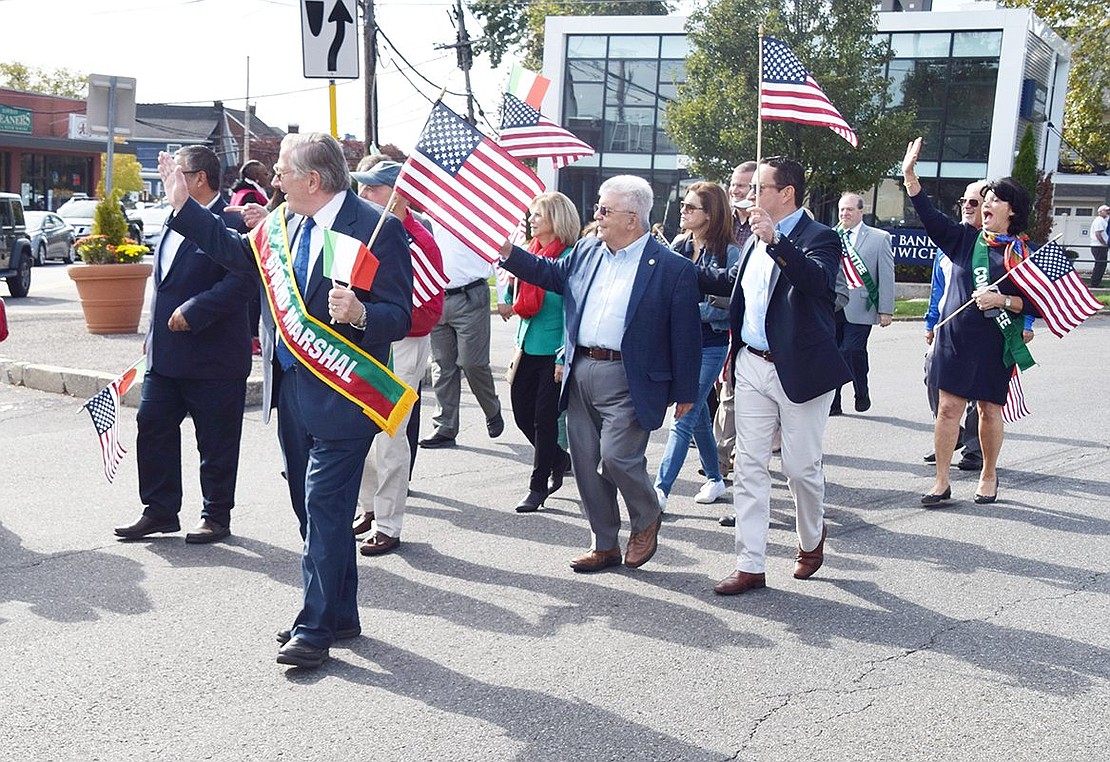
(607, 306)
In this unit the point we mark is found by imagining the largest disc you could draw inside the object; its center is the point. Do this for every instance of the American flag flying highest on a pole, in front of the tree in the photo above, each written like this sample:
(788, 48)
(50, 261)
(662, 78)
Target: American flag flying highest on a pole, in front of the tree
(788, 93)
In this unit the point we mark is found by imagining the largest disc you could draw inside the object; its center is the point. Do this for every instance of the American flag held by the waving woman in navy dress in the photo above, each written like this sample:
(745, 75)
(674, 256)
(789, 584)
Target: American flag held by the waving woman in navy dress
(1050, 282)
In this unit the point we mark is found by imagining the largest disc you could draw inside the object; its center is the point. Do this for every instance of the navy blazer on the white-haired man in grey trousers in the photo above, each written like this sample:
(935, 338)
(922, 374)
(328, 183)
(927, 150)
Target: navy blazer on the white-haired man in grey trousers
(662, 343)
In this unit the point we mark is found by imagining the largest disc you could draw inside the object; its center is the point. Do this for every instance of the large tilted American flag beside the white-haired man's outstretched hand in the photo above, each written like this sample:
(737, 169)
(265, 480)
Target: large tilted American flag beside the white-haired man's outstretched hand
(467, 183)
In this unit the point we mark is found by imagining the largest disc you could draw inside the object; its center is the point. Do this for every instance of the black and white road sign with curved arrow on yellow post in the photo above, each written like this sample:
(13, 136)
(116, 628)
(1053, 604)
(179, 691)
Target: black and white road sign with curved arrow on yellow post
(330, 39)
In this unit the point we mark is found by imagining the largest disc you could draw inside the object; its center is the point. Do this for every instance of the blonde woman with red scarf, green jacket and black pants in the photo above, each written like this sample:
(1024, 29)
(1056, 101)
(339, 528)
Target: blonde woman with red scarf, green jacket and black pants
(538, 369)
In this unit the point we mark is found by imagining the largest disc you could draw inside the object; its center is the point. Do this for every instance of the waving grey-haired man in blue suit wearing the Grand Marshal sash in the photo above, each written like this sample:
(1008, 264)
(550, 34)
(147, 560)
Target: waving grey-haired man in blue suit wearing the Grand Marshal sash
(325, 436)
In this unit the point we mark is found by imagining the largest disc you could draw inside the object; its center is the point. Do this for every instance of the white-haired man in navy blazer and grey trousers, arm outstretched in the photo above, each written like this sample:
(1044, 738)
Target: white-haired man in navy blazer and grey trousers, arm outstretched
(633, 347)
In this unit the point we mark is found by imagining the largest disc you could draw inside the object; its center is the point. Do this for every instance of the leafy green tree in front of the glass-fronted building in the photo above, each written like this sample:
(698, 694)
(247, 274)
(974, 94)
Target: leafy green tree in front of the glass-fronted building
(714, 117)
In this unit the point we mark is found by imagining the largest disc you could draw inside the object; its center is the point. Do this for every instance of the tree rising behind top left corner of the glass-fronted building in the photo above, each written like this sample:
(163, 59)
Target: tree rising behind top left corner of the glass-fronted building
(519, 25)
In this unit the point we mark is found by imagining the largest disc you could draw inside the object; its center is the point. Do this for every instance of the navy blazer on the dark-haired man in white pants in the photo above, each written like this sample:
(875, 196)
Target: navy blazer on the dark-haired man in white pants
(801, 328)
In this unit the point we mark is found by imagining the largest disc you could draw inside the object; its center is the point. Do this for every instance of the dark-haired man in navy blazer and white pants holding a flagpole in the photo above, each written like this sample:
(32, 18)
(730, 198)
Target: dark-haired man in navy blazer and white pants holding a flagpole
(786, 366)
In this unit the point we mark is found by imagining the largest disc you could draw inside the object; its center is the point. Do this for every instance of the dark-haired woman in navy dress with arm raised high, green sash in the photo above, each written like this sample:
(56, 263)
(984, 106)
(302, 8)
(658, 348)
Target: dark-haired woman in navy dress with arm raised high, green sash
(976, 354)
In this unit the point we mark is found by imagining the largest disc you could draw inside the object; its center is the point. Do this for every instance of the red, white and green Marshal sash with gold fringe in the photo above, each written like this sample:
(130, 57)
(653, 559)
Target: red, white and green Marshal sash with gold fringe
(345, 367)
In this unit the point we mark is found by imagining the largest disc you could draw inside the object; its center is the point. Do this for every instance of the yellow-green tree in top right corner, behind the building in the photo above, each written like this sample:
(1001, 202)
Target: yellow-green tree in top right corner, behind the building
(1086, 25)
